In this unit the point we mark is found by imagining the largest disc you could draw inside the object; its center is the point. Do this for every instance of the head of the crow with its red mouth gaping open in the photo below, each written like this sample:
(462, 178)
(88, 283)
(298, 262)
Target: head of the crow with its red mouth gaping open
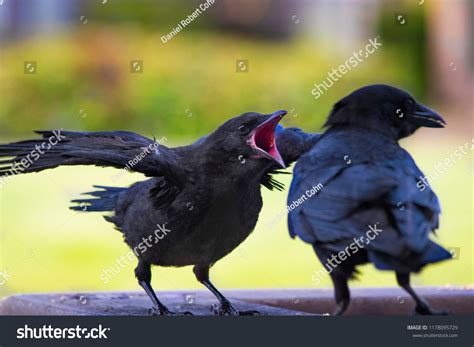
(247, 139)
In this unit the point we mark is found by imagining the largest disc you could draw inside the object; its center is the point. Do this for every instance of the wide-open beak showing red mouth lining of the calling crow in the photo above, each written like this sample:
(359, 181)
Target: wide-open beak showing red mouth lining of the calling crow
(262, 138)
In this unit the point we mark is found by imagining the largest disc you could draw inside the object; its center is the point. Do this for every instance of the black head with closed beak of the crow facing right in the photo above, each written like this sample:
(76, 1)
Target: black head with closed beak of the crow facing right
(384, 109)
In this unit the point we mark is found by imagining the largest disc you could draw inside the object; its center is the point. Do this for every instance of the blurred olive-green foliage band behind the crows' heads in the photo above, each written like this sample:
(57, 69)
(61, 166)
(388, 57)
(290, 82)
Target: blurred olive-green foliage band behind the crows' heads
(87, 72)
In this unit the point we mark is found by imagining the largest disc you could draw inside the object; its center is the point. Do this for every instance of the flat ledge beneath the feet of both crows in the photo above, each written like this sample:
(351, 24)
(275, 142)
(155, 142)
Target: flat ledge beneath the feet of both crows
(365, 301)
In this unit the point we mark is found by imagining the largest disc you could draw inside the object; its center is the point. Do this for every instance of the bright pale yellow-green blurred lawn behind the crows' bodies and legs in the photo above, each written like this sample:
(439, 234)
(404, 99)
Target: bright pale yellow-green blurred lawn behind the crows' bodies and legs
(46, 247)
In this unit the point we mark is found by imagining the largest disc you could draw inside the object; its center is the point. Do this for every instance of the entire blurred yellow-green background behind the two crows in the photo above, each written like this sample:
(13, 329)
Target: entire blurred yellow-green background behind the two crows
(187, 87)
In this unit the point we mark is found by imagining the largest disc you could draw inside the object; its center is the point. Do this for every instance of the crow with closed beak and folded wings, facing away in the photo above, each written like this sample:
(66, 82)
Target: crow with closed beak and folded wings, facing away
(369, 206)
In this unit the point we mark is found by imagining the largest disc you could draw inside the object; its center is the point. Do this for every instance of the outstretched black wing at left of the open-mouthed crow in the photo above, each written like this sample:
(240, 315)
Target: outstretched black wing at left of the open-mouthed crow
(119, 149)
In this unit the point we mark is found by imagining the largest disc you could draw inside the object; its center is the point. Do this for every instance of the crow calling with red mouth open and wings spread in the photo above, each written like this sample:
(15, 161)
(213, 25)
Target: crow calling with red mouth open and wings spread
(202, 201)
